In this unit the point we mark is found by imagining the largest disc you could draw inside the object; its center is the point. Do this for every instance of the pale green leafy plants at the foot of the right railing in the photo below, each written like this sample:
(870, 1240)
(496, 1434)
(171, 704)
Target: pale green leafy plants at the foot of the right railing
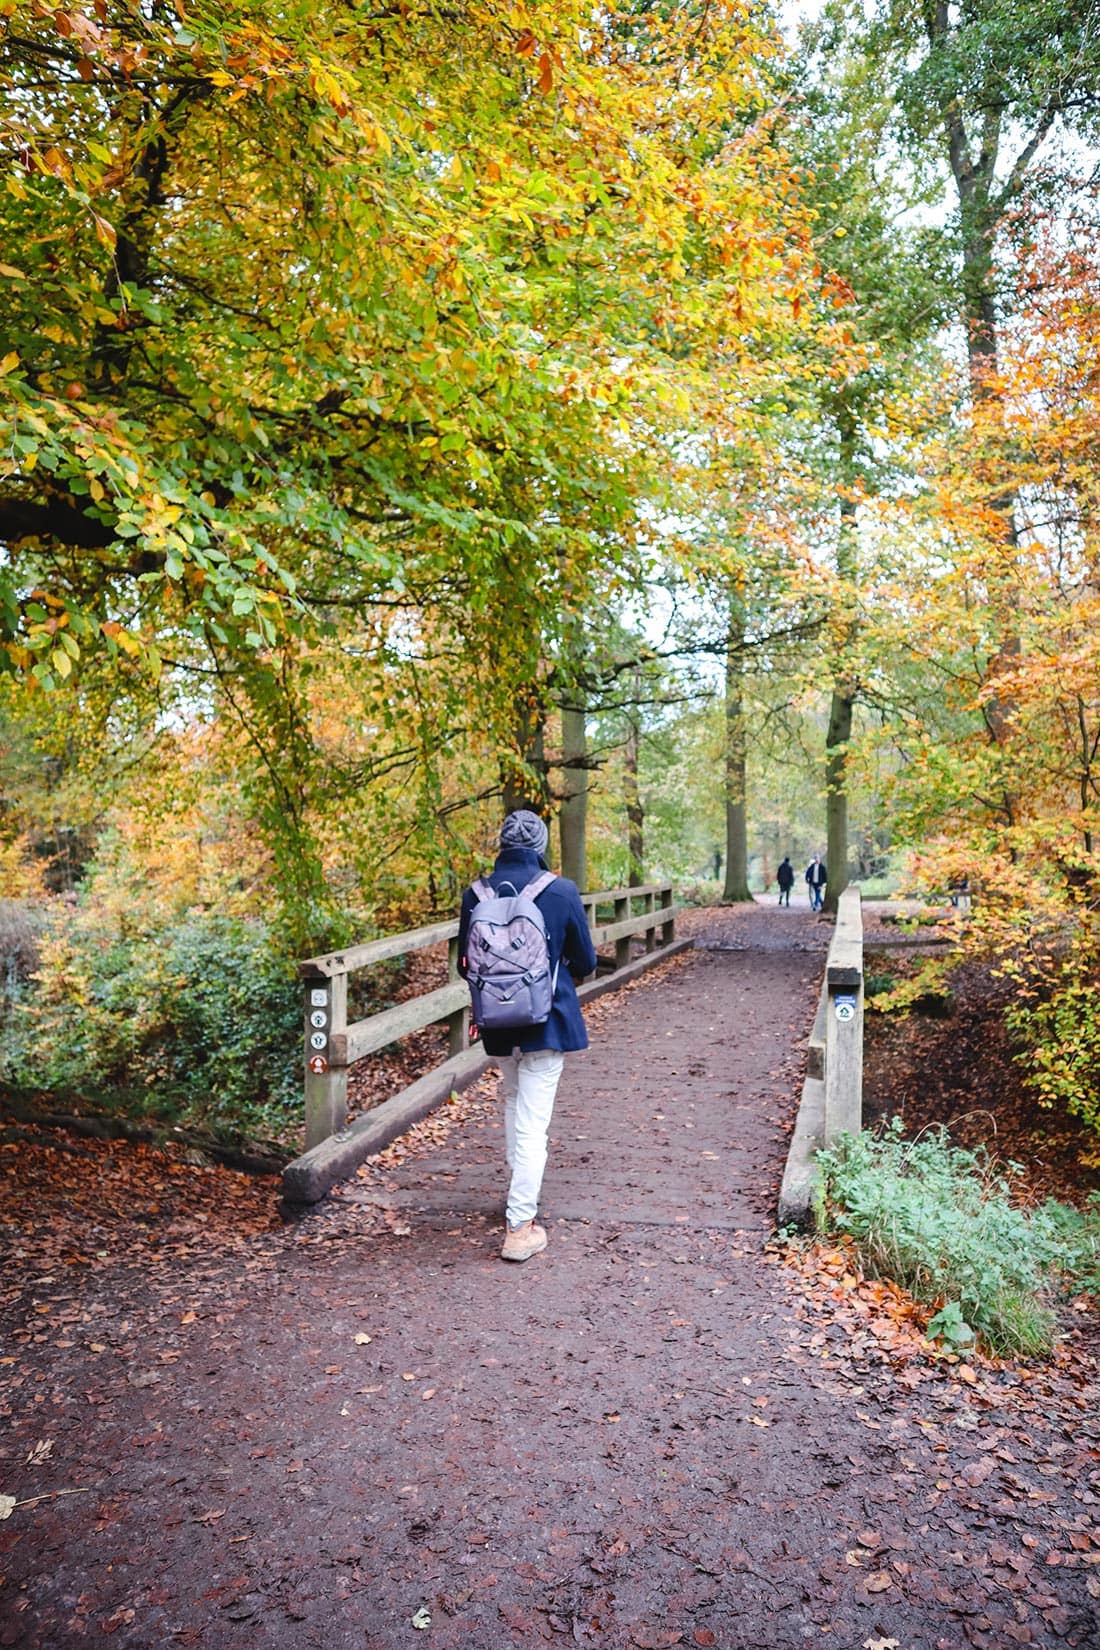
(941, 1220)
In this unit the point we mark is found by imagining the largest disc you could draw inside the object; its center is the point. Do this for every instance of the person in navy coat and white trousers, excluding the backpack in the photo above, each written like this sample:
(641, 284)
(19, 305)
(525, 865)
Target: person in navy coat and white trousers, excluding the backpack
(532, 1058)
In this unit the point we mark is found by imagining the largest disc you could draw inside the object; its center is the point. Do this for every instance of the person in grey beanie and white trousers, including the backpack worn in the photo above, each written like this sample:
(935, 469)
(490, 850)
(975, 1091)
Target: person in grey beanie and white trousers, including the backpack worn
(537, 958)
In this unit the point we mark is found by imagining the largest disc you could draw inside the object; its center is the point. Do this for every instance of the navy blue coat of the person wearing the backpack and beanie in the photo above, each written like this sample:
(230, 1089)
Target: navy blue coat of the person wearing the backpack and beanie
(570, 945)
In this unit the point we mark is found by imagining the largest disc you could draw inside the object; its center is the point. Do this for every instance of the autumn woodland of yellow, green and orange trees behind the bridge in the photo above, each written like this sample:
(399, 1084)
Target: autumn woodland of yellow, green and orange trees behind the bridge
(652, 413)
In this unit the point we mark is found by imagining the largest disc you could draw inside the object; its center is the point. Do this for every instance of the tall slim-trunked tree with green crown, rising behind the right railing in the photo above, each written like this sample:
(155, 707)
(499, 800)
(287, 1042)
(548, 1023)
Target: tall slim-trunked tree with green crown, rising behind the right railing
(886, 291)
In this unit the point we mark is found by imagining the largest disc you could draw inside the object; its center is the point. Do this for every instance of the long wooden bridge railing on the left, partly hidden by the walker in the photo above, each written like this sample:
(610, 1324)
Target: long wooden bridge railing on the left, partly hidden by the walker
(332, 1047)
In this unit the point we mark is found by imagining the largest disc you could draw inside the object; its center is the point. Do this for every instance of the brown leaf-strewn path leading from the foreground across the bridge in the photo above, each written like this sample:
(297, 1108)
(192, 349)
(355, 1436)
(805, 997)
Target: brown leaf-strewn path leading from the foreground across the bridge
(646, 1436)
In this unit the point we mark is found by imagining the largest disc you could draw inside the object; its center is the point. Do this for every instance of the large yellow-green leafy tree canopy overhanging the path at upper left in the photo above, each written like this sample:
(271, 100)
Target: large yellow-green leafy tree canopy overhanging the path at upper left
(357, 331)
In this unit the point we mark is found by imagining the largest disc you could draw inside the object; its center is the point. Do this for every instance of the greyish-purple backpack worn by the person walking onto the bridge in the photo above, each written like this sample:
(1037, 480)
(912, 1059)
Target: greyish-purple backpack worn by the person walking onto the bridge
(509, 968)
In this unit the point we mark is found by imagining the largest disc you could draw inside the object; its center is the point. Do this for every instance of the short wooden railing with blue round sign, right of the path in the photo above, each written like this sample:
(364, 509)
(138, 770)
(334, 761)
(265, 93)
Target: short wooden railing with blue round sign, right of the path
(832, 1095)
